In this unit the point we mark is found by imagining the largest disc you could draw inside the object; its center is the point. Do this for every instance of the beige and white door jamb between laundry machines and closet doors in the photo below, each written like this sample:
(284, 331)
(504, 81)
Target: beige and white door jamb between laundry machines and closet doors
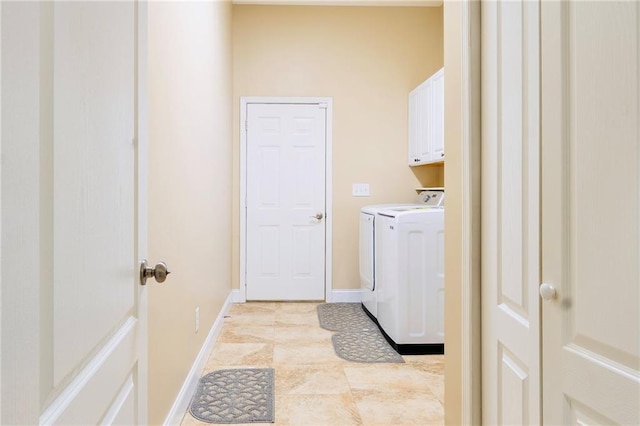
(463, 374)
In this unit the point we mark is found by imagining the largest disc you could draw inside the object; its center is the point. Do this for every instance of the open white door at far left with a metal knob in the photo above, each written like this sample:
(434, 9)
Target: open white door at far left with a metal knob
(73, 338)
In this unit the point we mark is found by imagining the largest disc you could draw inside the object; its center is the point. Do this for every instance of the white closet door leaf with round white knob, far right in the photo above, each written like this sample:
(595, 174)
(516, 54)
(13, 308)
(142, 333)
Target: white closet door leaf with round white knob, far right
(591, 212)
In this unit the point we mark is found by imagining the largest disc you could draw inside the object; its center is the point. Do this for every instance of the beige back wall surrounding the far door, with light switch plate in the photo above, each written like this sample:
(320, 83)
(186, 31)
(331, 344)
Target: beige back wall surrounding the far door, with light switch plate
(367, 60)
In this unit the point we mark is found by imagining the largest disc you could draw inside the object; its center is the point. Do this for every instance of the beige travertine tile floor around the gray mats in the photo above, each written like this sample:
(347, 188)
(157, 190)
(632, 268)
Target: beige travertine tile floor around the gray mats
(313, 386)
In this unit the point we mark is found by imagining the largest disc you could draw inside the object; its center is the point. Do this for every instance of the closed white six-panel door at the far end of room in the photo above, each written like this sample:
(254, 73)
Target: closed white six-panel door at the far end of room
(285, 201)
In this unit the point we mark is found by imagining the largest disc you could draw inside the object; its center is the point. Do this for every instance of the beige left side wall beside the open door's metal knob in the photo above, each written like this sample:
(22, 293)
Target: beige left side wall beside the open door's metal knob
(189, 190)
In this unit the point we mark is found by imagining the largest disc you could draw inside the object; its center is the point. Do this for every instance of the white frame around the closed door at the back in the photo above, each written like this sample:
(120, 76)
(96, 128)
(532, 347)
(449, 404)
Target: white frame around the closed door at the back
(244, 102)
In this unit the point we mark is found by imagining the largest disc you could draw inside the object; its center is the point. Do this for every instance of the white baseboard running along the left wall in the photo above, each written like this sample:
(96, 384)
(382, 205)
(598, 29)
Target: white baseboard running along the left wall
(183, 399)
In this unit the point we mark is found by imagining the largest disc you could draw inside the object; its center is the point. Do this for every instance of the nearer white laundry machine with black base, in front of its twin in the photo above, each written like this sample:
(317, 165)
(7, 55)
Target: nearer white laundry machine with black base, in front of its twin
(410, 276)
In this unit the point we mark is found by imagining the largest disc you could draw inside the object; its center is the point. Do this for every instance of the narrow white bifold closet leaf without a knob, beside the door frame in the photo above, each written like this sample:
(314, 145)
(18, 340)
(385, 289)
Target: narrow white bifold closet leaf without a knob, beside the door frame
(510, 213)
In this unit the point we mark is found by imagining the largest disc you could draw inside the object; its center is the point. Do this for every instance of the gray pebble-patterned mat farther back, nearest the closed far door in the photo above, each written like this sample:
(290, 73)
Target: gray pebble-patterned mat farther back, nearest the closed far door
(344, 317)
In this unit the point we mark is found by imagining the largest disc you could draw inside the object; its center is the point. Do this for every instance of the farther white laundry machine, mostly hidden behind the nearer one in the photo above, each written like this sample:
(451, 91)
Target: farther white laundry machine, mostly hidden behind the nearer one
(367, 248)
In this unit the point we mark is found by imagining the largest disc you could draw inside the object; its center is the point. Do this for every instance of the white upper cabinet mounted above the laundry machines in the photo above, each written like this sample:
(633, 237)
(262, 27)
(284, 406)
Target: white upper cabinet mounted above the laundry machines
(426, 121)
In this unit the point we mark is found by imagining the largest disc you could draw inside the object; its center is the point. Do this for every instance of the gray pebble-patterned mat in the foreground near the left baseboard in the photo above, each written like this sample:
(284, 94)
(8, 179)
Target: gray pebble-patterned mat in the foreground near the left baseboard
(235, 396)
